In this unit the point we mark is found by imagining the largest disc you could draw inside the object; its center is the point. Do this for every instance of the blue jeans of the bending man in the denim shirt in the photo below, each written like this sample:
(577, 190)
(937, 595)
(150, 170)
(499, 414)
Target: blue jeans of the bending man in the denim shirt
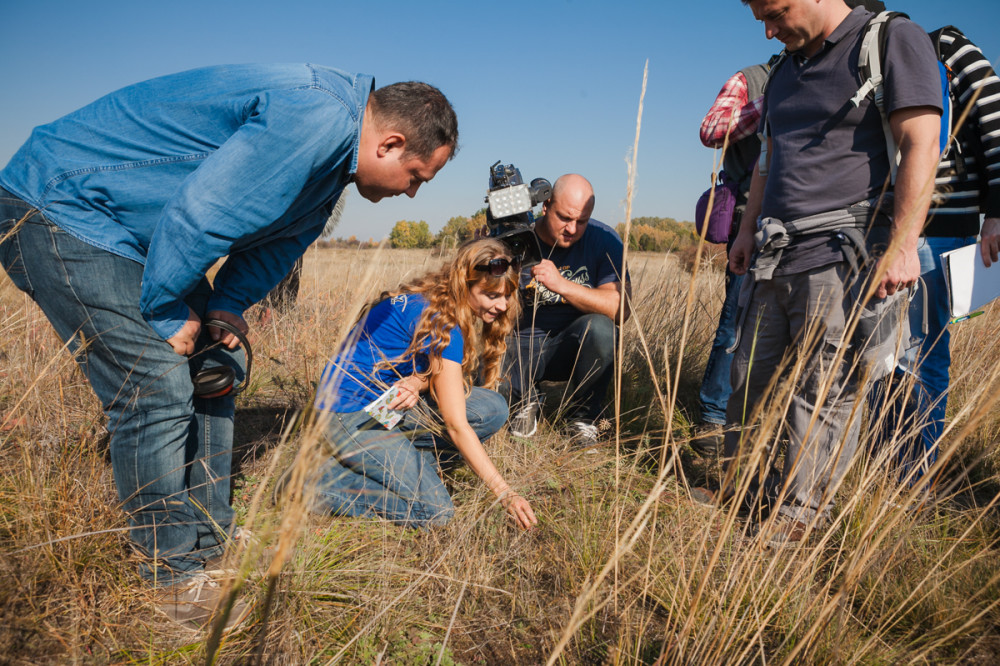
(170, 453)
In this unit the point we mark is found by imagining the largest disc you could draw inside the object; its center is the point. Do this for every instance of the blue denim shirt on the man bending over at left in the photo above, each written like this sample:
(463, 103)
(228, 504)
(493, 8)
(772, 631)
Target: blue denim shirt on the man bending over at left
(176, 172)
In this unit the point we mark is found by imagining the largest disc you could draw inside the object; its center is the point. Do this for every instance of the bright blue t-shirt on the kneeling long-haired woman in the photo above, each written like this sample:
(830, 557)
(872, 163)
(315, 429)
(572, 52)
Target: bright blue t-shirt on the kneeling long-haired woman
(350, 381)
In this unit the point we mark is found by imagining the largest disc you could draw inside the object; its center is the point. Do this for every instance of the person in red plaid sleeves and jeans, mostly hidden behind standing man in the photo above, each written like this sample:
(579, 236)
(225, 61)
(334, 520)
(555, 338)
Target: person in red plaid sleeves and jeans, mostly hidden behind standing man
(731, 124)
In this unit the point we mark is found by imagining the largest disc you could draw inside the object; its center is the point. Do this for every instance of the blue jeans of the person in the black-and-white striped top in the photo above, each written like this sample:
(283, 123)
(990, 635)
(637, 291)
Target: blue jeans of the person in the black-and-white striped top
(928, 359)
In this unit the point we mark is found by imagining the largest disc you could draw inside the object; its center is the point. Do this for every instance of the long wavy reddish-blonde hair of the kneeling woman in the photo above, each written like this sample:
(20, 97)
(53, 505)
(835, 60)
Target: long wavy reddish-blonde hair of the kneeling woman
(447, 293)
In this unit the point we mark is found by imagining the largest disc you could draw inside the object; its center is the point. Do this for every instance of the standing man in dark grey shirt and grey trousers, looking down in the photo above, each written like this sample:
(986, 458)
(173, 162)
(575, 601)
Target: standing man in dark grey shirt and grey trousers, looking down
(831, 250)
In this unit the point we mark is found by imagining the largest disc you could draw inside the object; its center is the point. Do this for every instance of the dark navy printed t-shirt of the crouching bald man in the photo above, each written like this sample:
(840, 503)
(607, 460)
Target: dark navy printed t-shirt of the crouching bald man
(593, 260)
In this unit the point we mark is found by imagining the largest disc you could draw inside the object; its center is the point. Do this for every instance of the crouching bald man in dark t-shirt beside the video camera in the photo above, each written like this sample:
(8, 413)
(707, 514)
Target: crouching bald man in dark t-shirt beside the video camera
(572, 303)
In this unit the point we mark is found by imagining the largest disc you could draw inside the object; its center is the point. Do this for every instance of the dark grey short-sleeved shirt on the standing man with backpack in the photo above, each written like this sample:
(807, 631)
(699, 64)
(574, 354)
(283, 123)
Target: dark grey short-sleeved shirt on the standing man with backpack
(826, 154)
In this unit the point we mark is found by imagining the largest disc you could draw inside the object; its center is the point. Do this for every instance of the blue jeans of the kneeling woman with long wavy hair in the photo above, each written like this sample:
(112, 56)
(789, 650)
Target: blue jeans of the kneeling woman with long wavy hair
(394, 473)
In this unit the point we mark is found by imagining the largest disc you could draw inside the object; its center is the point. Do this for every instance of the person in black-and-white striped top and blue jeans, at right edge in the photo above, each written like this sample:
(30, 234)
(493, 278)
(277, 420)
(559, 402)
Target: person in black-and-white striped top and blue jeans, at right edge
(968, 184)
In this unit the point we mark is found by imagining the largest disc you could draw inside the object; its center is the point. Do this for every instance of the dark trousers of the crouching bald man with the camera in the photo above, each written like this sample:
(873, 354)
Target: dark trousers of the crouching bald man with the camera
(583, 354)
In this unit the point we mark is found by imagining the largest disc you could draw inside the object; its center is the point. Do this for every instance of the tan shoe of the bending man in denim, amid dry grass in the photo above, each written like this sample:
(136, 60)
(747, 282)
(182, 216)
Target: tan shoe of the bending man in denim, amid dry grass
(195, 602)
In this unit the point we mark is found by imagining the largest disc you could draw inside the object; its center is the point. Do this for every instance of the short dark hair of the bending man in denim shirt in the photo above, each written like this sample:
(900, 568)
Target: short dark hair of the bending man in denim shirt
(421, 112)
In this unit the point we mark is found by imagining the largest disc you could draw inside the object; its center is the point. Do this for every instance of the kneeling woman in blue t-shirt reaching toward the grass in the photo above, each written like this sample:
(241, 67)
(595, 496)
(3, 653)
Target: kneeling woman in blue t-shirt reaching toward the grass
(430, 337)
